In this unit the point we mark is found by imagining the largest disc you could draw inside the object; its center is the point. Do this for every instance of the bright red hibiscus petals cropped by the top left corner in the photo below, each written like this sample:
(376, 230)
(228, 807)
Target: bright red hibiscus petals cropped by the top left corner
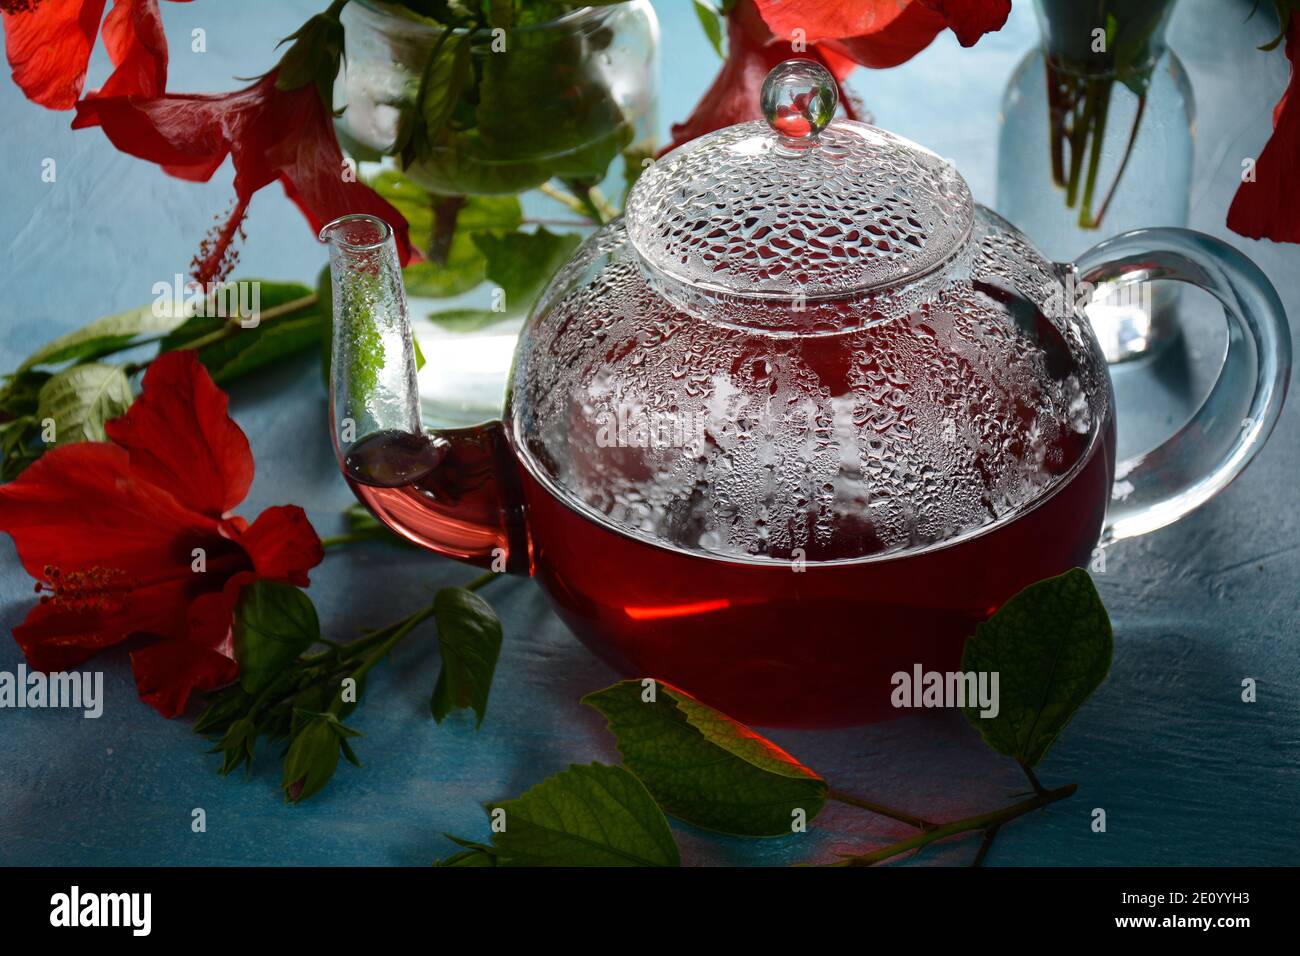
(49, 45)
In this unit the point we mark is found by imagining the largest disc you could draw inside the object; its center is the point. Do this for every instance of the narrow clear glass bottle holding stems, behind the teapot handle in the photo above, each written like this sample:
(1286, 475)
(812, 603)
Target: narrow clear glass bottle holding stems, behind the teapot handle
(1097, 140)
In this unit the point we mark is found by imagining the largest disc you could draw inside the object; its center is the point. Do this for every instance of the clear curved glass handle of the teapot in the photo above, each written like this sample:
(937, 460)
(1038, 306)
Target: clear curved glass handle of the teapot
(1236, 419)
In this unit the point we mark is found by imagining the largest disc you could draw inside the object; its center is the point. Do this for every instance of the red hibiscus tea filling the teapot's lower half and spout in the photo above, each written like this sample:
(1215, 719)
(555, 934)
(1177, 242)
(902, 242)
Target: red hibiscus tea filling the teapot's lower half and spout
(788, 643)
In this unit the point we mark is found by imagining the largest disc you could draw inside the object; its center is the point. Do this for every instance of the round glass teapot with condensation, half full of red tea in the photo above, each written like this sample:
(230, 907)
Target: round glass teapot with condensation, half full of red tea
(800, 419)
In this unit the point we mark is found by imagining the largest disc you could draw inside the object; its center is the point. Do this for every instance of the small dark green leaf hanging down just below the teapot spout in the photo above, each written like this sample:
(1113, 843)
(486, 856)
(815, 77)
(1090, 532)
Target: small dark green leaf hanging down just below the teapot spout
(470, 639)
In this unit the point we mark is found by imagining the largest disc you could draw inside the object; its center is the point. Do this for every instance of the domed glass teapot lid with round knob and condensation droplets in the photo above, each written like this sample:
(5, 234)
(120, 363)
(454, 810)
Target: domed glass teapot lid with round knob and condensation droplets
(799, 207)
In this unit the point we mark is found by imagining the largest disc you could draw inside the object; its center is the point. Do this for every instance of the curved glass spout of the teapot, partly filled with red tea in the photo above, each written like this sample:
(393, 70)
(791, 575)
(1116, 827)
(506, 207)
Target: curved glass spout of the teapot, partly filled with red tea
(454, 492)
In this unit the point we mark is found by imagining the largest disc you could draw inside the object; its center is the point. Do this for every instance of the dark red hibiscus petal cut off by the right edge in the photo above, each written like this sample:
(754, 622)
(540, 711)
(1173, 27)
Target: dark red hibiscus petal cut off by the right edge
(1269, 207)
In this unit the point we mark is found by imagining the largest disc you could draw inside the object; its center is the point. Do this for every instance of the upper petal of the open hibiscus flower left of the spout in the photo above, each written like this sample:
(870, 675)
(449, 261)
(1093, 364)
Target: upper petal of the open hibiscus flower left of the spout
(180, 436)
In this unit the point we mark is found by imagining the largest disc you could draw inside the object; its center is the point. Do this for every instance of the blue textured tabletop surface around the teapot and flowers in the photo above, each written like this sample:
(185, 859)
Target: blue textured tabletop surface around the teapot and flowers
(1186, 772)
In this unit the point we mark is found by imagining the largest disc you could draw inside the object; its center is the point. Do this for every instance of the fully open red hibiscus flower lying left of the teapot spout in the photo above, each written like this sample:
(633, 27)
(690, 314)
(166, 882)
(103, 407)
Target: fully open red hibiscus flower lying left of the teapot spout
(135, 537)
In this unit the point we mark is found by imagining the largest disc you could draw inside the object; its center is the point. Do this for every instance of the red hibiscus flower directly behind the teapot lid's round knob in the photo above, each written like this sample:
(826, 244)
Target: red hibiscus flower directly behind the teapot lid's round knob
(838, 34)
